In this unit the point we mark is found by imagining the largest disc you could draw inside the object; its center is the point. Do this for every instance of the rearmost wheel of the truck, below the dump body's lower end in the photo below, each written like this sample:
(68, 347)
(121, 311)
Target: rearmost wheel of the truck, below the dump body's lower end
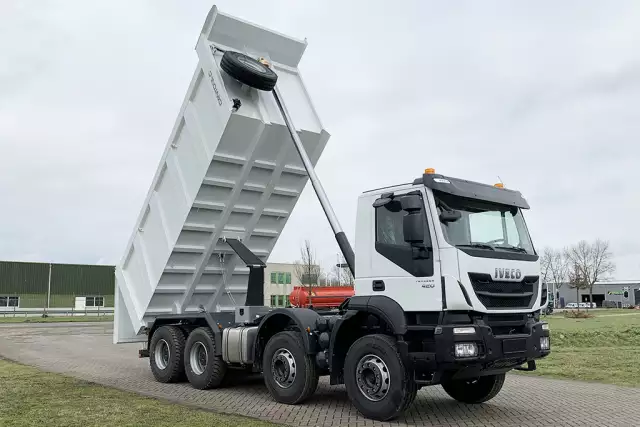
(165, 354)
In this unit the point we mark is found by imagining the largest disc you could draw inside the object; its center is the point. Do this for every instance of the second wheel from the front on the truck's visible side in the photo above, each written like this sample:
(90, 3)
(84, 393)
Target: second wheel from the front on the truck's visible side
(284, 355)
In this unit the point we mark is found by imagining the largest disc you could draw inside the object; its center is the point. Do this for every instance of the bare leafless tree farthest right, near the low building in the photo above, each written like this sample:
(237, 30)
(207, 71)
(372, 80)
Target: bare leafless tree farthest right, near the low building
(592, 260)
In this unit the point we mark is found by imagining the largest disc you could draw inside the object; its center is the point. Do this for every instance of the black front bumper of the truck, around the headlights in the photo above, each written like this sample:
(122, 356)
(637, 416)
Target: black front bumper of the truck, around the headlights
(495, 353)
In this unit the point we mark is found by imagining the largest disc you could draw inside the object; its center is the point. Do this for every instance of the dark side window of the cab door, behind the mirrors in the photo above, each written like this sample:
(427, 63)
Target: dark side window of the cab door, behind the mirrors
(391, 245)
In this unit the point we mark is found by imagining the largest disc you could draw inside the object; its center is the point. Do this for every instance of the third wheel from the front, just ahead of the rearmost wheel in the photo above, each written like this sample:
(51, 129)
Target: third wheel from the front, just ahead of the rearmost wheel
(205, 370)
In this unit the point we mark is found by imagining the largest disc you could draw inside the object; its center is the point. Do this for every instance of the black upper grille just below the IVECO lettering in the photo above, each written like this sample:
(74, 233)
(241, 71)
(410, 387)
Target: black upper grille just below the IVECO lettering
(502, 294)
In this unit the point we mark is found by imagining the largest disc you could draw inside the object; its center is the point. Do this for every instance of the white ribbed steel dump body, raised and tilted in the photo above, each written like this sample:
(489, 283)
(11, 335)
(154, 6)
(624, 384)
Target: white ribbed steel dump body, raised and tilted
(229, 171)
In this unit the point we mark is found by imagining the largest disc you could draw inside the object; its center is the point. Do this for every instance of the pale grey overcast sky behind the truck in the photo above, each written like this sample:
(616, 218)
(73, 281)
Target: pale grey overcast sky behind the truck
(544, 94)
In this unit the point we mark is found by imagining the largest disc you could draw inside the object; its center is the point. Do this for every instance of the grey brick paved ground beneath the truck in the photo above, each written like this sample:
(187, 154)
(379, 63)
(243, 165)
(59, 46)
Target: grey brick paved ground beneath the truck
(85, 351)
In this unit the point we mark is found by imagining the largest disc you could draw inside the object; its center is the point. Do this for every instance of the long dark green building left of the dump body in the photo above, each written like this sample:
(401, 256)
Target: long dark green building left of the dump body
(28, 287)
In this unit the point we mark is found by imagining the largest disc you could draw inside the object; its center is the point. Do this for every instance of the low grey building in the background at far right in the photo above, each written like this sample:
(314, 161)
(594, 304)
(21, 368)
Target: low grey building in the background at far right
(620, 292)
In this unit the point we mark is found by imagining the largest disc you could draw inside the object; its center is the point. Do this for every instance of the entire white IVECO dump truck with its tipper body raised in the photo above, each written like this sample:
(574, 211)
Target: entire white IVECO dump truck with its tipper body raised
(447, 286)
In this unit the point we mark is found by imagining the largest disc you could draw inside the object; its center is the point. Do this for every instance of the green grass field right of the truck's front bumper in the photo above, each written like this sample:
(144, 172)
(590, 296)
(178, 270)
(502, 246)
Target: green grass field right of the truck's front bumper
(605, 348)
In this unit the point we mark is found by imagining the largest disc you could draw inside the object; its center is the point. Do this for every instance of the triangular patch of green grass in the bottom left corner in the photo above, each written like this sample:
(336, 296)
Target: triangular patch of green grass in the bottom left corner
(29, 397)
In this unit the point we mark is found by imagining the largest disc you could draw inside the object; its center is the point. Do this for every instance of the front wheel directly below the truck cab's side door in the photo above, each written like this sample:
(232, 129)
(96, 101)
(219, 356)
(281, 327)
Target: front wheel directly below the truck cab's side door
(394, 394)
